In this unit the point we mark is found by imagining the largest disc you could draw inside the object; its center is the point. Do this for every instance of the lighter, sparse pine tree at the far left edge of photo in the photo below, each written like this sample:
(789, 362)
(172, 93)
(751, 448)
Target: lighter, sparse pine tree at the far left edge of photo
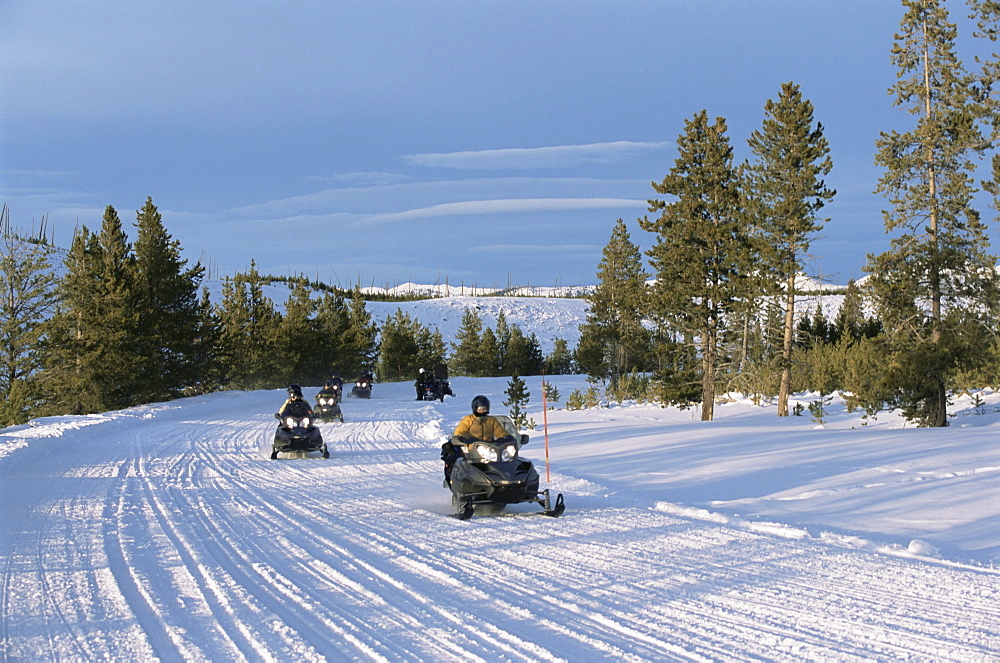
(28, 284)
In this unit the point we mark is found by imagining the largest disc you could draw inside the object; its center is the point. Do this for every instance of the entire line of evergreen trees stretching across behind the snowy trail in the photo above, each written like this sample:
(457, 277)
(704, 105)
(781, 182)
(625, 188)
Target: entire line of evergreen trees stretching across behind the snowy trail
(124, 323)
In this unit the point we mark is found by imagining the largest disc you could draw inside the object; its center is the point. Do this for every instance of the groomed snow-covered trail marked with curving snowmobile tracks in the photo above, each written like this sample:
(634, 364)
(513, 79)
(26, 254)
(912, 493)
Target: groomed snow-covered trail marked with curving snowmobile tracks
(165, 531)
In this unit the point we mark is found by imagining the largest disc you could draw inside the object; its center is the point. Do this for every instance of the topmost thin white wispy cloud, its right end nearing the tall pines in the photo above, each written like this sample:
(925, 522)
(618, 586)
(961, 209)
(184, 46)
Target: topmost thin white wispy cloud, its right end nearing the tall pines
(557, 156)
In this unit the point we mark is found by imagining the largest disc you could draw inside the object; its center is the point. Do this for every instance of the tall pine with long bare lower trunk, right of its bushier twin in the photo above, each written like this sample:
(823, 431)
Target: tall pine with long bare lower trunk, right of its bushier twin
(786, 185)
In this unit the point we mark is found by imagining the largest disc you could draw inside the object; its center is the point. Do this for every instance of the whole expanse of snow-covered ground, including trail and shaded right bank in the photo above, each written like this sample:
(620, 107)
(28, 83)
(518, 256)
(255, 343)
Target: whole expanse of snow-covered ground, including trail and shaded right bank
(165, 531)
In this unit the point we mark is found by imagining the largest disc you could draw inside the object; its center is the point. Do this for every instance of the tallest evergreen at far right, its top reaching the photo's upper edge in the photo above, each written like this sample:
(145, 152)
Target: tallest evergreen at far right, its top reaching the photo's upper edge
(937, 276)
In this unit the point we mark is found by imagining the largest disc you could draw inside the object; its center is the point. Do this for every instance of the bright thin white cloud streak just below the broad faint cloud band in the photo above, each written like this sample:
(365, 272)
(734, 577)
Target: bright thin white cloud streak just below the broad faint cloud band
(503, 206)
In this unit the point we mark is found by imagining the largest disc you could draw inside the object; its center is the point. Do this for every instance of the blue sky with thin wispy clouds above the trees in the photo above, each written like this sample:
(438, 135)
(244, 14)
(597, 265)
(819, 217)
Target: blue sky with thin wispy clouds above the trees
(383, 142)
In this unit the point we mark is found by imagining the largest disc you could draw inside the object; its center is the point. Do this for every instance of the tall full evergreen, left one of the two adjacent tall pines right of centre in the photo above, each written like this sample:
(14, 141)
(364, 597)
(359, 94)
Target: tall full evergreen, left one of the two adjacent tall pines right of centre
(701, 258)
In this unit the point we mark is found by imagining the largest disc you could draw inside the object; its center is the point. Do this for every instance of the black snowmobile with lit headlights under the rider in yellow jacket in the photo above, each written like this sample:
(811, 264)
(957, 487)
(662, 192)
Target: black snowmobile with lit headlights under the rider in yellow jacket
(487, 476)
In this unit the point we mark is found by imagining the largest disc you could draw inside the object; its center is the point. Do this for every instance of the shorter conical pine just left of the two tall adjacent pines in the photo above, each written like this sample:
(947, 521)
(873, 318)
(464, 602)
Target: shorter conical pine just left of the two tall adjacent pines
(613, 339)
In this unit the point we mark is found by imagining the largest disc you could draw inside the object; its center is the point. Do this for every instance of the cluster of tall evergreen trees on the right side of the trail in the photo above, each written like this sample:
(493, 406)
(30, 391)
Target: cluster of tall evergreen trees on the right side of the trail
(732, 239)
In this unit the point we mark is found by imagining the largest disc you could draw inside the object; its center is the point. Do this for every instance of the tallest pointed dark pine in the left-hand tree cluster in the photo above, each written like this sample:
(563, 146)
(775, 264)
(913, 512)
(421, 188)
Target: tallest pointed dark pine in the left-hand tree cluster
(169, 314)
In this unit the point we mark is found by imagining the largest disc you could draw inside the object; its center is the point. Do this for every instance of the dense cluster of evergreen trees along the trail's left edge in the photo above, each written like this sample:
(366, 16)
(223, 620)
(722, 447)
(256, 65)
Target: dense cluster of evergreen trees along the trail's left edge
(124, 325)
